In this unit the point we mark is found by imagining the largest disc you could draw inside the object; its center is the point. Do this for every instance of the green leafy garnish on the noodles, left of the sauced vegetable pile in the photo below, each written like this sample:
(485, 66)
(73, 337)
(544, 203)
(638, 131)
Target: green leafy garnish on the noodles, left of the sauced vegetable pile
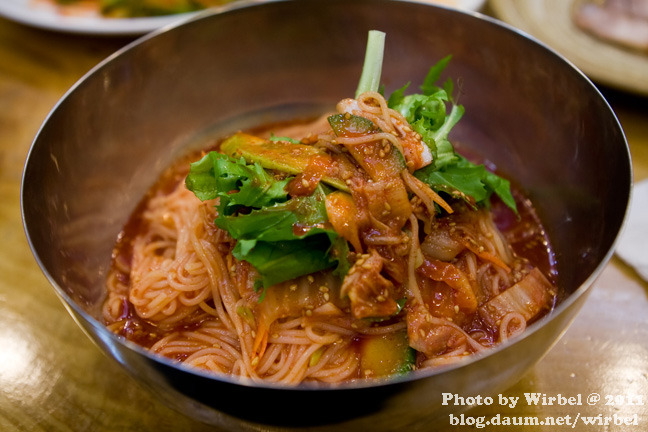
(282, 238)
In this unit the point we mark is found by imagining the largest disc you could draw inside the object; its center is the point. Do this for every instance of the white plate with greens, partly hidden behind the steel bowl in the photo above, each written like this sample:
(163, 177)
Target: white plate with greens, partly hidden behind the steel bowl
(40, 14)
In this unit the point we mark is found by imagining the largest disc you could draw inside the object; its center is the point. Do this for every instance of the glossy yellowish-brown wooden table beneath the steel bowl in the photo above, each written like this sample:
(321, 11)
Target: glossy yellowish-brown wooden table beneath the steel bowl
(52, 378)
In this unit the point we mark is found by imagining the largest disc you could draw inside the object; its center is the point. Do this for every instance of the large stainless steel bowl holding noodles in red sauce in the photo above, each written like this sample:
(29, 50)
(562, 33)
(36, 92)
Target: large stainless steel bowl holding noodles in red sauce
(527, 109)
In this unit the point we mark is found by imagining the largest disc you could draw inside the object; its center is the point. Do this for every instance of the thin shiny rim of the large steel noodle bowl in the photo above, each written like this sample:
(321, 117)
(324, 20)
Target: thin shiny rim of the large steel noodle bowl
(214, 13)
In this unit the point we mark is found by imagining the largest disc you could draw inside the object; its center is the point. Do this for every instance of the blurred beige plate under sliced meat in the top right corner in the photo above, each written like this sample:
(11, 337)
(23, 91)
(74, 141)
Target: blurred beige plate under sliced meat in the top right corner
(552, 22)
